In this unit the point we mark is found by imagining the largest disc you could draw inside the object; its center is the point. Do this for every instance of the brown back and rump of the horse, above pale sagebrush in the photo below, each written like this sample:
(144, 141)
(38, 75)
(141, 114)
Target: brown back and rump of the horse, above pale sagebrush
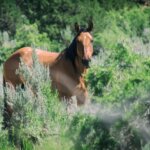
(25, 54)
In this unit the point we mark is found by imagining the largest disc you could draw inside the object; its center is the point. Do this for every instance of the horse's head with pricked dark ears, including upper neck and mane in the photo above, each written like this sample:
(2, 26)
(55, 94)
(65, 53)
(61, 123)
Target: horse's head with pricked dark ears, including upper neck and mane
(80, 50)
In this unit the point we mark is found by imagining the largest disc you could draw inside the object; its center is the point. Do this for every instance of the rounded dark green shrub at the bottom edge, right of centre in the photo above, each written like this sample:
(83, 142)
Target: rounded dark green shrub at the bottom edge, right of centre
(91, 133)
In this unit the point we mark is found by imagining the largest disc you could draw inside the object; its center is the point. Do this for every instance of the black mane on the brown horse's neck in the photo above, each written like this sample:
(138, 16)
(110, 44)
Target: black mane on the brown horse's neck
(71, 51)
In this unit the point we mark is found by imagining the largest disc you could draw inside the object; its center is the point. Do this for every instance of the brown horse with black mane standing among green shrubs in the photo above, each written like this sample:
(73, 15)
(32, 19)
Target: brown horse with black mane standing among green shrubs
(67, 68)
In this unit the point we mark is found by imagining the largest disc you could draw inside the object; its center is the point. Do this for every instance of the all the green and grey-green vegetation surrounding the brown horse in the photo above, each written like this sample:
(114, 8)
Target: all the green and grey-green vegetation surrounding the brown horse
(118, 117)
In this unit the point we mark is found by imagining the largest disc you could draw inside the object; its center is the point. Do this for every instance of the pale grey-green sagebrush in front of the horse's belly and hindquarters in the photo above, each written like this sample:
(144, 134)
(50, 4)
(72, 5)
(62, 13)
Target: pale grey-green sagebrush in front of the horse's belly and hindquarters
(37, 112)
